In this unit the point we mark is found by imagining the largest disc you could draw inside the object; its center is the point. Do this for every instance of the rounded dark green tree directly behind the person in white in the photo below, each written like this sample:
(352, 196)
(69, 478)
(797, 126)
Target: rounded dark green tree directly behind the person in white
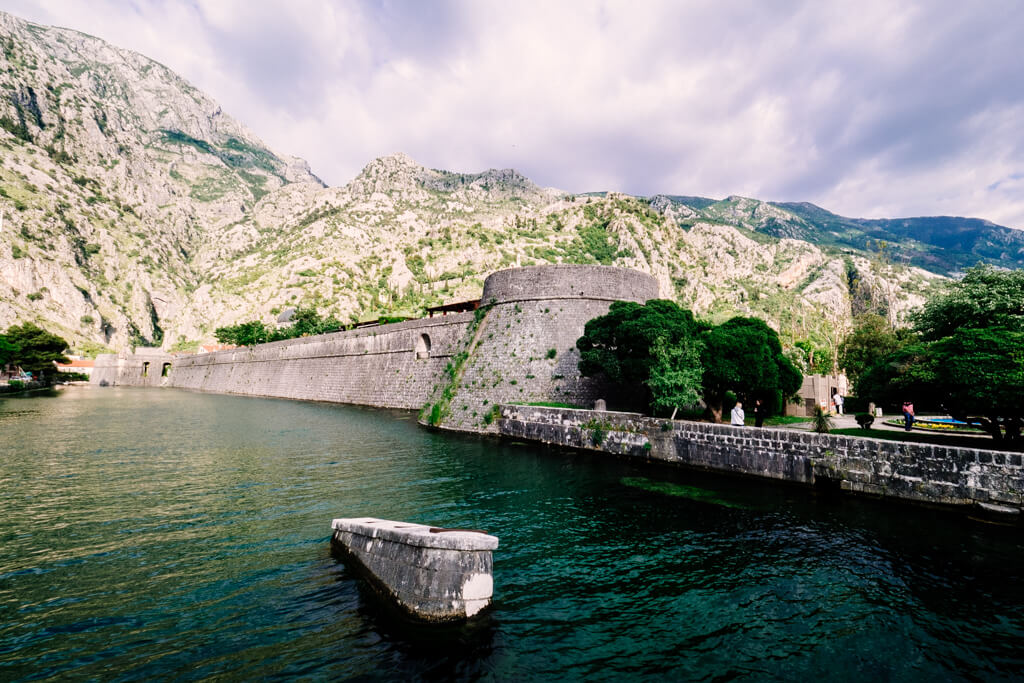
(745, 356)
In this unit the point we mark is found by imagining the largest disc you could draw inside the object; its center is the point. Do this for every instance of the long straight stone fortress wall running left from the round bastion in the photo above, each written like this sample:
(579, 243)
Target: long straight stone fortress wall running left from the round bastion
(378, 366)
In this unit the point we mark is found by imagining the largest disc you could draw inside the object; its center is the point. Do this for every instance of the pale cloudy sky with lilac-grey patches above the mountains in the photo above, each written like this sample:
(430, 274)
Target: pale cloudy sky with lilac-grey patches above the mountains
(867, 108)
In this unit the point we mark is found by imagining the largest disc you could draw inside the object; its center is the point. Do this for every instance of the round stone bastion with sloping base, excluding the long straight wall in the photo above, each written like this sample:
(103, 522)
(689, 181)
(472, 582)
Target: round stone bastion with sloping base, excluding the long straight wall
(530, 312)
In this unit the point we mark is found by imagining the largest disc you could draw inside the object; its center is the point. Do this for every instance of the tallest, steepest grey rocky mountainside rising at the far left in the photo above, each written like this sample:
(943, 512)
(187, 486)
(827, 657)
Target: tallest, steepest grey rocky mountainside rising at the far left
(119, 185)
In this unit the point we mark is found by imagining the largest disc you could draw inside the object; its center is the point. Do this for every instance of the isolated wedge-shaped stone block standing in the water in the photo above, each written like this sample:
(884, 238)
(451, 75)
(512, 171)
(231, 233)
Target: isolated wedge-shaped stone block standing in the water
(433, 574)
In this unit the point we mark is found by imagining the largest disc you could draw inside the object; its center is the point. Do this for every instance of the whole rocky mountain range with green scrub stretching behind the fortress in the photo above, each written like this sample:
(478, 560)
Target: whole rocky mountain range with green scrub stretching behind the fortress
(137, 212)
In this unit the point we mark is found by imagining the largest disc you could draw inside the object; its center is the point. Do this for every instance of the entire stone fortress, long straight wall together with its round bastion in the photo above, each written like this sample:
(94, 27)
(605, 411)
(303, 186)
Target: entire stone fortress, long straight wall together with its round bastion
(501, 353)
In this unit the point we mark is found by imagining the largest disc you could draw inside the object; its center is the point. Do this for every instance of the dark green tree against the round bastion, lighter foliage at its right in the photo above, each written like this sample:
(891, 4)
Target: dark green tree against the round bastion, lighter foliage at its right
(650, 346)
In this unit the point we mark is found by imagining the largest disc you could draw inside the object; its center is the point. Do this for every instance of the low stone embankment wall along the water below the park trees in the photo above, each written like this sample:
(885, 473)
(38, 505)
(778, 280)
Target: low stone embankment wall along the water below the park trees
(924, 474)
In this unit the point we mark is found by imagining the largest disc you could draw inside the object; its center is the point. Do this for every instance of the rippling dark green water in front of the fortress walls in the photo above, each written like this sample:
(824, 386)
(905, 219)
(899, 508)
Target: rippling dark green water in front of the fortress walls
(152, 534)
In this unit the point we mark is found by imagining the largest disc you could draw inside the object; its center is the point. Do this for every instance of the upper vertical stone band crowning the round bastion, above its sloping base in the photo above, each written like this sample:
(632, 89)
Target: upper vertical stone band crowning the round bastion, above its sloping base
(604, 283)
